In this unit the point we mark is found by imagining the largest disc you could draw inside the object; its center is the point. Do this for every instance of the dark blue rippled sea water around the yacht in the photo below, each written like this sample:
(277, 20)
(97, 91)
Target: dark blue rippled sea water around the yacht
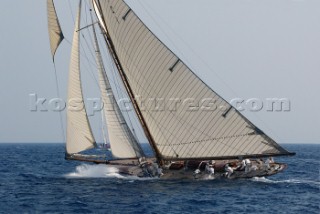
(35, 178)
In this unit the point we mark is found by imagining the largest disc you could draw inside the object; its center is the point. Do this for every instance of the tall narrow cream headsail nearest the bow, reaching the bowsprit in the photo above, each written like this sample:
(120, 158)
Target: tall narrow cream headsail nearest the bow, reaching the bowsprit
(79, 134)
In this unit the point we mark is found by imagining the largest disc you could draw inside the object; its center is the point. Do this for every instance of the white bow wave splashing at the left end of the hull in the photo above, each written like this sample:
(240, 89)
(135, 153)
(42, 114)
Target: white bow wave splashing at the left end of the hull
(100, 171)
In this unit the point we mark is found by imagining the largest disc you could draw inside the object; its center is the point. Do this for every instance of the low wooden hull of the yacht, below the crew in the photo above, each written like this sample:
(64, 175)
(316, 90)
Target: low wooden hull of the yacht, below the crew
(186, 170)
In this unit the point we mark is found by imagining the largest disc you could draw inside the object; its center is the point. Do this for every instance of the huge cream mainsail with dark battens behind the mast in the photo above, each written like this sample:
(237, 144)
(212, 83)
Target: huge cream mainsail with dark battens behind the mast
(153, 72)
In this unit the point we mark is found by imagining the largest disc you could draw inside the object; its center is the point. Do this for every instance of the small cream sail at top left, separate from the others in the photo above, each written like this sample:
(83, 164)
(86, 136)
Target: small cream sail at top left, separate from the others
(55, 33)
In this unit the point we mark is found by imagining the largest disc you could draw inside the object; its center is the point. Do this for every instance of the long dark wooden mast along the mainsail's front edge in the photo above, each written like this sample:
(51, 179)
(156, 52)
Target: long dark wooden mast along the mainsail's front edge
(127, 85)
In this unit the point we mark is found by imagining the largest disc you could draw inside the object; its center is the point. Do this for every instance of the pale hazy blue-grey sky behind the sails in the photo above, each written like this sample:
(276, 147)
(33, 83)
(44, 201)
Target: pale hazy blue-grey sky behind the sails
(243, 49)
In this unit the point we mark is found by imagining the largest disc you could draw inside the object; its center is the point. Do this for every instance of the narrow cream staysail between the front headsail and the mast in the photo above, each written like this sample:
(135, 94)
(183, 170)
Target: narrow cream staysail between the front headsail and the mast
(122, 141)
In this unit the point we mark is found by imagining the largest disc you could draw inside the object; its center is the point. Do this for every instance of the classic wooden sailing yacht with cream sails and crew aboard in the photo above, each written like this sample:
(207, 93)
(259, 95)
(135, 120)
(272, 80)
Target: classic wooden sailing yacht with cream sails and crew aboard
(186, 144)
